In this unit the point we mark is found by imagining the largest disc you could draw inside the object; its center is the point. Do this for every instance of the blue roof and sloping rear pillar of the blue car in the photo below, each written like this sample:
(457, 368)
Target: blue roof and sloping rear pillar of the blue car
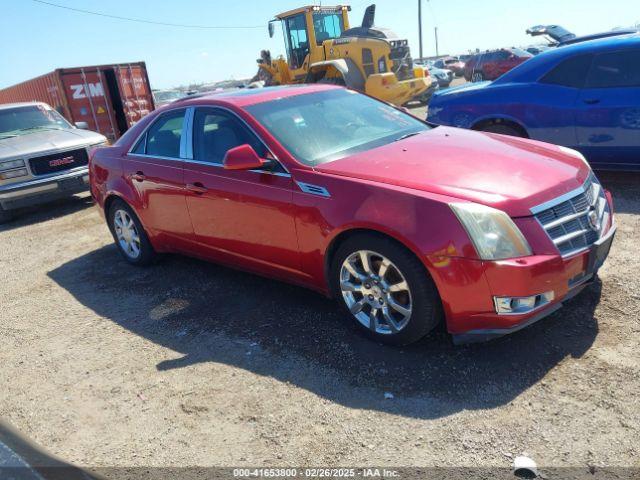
(537, 66)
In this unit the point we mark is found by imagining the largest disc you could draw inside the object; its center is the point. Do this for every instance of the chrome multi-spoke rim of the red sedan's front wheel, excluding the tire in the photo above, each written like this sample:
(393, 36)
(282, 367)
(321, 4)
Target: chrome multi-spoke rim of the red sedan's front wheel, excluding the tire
(376, 292)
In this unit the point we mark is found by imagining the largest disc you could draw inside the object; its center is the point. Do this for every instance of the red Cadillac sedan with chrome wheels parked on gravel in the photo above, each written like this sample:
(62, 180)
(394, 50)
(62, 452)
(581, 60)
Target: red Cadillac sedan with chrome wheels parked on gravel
(406, 224)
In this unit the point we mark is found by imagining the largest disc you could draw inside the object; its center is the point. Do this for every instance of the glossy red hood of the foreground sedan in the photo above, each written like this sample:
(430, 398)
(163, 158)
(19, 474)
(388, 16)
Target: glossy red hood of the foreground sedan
(503, 172)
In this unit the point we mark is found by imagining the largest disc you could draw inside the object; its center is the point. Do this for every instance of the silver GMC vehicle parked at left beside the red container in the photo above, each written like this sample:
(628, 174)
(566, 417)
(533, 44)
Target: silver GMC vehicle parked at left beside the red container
(42, 156)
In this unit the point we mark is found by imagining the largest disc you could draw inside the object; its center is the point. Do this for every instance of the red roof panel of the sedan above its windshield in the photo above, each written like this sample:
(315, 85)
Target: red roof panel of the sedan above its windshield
(250, 96)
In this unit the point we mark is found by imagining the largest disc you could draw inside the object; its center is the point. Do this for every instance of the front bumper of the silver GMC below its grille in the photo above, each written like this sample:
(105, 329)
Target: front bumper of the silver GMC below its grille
(42, 190)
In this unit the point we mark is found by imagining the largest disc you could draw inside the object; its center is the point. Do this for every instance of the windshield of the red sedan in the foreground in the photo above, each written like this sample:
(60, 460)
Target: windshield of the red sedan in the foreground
(325, 126)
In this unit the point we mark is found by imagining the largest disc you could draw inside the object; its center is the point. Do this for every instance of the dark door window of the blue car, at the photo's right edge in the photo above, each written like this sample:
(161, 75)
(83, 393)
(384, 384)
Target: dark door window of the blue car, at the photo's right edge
(615, 69)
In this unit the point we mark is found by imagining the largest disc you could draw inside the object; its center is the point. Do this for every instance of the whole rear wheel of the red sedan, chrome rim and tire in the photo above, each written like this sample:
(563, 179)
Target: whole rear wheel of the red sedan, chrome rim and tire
(129, 235)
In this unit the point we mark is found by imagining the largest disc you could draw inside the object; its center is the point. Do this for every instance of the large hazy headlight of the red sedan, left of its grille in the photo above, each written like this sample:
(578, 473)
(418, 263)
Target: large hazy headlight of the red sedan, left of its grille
(492, 231)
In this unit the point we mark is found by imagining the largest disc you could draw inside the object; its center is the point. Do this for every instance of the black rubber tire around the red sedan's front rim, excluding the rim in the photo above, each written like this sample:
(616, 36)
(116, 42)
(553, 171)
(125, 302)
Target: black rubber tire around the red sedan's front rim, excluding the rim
(426, 311)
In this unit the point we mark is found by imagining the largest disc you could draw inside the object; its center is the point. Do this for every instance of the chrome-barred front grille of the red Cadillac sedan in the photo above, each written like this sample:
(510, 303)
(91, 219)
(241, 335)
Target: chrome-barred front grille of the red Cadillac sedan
(576, 220)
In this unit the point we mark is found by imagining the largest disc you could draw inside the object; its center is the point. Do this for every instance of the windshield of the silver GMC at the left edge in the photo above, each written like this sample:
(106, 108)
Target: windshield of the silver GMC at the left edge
(23, 120)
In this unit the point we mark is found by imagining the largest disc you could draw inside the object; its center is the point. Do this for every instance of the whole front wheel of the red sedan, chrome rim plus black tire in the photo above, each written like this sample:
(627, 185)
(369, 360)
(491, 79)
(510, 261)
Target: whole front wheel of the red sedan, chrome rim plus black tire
(385, 289)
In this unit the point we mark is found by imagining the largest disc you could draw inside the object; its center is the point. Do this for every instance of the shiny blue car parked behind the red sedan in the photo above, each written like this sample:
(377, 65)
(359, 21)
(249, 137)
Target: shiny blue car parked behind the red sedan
(584, 96)
